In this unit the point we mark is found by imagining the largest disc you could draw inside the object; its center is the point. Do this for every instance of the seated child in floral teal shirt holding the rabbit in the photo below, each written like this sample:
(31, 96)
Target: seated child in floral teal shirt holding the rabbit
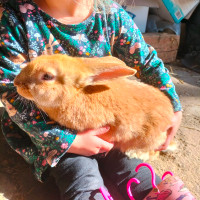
(78, 28)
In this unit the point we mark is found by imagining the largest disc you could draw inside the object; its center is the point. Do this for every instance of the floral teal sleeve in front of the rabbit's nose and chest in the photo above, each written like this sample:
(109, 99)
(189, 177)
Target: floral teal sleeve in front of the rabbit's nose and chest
(50, 140)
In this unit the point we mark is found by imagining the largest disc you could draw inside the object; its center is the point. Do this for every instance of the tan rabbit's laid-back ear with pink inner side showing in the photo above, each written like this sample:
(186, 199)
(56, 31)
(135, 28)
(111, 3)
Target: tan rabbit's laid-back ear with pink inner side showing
(106, 68)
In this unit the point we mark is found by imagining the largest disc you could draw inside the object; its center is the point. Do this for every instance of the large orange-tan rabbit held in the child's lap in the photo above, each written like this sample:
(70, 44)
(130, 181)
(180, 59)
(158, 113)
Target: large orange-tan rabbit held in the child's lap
(88, 93)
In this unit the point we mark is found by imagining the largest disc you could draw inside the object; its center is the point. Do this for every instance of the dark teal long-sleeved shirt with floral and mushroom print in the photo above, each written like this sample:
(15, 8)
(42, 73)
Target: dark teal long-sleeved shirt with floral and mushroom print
(26, 32)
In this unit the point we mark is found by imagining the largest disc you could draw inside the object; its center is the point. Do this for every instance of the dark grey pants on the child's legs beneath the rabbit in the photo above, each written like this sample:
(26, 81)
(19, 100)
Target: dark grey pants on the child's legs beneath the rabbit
(79, 177)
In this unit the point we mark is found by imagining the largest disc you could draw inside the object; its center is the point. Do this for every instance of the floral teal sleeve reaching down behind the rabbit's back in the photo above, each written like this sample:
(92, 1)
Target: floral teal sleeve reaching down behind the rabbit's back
(132, 49)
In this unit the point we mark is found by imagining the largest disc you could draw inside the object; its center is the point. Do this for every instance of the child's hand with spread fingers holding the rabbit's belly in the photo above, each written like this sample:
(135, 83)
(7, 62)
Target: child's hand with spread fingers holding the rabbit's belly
(87, 143)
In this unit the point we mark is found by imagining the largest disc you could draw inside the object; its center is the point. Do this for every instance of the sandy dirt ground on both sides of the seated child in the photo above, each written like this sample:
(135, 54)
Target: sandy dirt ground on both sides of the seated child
(18, 183)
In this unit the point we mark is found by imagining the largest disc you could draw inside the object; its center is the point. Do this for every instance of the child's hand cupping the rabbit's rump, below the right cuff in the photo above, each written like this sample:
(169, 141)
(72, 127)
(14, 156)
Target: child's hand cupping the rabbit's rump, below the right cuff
(171, 131)
